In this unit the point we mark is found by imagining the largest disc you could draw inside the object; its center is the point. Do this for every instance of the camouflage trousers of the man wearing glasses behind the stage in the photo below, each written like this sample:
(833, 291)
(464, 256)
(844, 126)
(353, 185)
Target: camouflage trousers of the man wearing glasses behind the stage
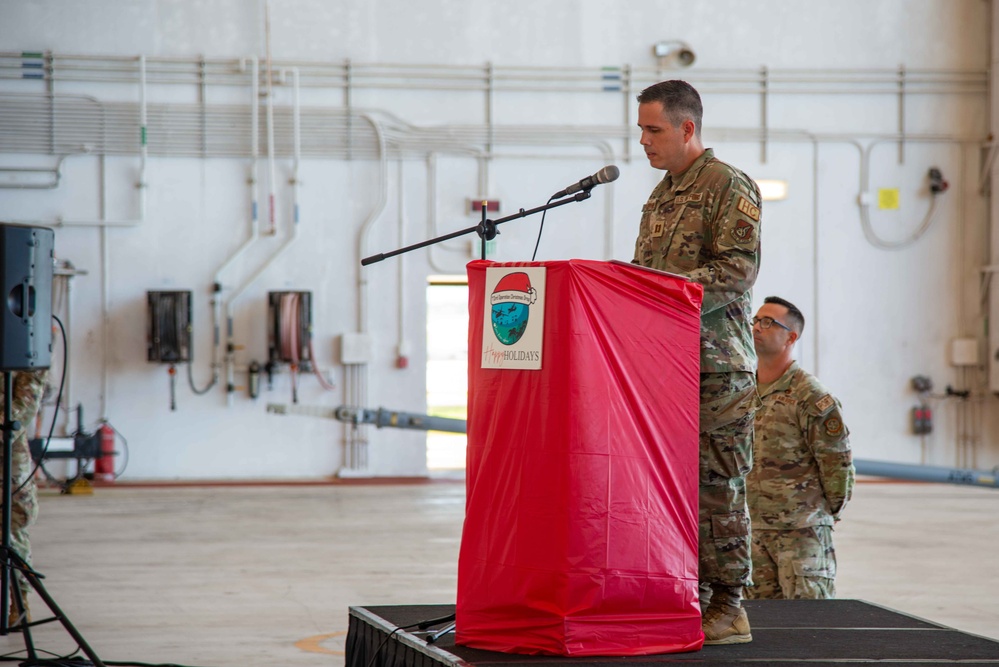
(793, 564)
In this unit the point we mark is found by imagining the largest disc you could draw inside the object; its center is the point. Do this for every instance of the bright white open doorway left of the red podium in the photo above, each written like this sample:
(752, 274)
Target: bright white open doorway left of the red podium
(447, 368)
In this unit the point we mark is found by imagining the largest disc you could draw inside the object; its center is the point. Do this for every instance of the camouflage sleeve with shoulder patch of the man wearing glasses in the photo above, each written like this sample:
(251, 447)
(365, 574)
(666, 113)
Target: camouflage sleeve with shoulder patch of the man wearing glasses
(829, 440)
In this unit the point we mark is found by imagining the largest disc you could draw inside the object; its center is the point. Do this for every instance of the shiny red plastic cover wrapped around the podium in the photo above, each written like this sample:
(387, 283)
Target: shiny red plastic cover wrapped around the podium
(580, 534)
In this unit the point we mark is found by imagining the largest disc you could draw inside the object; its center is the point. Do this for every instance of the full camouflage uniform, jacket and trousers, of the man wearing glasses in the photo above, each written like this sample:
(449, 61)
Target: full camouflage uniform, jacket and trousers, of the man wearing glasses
(802, 480)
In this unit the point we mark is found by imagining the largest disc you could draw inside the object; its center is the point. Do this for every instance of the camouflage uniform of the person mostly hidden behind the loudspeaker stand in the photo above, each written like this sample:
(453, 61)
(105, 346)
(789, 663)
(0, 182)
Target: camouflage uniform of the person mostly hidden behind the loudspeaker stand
(28, 388)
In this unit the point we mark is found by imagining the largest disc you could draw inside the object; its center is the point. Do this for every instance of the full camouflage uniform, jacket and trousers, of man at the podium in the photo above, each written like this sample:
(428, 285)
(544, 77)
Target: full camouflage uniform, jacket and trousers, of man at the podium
(704, 224)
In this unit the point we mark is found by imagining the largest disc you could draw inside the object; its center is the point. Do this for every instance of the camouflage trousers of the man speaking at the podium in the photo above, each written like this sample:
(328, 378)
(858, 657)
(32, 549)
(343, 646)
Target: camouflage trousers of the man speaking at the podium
(728, 402)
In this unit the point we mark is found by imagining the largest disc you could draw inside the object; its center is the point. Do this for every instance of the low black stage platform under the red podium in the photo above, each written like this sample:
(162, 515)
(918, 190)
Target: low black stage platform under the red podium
(813, 633)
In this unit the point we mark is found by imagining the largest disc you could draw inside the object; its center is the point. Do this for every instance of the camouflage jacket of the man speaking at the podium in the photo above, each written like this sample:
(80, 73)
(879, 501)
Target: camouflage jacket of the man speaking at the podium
(704, 224)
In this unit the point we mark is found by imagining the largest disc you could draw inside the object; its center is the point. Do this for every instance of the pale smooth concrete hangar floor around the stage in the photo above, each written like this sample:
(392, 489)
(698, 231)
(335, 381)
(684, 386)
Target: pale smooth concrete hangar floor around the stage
(263, 575)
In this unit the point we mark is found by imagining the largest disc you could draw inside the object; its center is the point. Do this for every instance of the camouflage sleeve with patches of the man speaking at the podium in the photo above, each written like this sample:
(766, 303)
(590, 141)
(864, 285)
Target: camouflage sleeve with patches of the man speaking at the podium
(734, 245)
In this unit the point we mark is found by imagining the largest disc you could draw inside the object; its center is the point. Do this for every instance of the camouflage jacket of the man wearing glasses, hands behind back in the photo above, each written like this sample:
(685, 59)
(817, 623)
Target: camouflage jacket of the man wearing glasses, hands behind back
(803, 469)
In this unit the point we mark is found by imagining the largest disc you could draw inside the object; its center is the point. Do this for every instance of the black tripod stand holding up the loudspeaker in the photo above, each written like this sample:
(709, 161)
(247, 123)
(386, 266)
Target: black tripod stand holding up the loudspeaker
(10, 560)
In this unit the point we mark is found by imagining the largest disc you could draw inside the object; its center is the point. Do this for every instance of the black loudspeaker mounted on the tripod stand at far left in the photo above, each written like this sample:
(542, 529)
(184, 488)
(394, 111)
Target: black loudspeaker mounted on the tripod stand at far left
(26, 287)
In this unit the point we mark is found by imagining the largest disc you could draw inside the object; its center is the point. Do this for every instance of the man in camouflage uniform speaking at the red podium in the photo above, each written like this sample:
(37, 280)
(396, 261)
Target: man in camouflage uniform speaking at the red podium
(703, 222)
